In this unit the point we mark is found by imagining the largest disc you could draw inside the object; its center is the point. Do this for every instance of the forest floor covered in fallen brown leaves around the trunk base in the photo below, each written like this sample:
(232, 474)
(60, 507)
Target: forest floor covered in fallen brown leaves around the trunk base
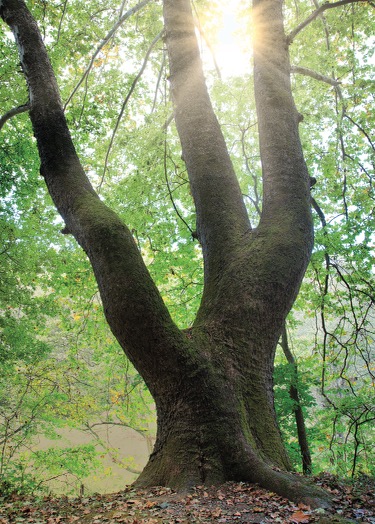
(229, 503)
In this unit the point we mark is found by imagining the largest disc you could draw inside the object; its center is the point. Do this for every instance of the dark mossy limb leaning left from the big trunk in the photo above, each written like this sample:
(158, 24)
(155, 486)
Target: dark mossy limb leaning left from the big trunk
(132, 303)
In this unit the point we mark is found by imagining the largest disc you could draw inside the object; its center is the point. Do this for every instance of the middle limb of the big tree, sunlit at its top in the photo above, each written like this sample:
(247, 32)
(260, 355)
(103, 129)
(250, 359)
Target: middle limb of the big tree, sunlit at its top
(221, 213)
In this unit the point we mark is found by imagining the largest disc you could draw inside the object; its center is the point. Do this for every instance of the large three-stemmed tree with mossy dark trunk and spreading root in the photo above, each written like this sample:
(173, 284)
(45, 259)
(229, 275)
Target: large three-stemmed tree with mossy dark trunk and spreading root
(212, 383)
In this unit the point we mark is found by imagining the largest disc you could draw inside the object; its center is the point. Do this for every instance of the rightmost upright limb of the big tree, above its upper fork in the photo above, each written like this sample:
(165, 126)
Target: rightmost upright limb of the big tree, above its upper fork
(286, 212)
